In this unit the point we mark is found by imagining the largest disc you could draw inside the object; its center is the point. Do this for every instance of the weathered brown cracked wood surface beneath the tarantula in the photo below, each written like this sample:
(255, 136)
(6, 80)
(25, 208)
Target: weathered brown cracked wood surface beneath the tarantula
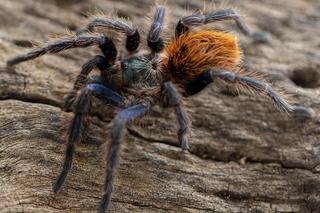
(245, 155)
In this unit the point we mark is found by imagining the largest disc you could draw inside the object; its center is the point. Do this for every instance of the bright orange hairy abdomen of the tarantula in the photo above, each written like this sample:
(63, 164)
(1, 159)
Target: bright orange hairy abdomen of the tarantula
(196, 52)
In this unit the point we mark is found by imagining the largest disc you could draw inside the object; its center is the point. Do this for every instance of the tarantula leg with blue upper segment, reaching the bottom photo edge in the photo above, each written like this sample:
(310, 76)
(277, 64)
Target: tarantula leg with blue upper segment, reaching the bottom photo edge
(124, 117)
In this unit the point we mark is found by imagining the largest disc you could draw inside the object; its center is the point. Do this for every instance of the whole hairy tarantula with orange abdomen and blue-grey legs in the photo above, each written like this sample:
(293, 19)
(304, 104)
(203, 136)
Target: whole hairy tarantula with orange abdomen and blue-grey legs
(186, 65)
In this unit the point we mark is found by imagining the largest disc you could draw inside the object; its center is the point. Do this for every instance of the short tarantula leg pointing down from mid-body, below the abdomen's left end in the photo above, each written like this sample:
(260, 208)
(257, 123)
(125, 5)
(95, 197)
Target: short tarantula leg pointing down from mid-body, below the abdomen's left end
(171, 99)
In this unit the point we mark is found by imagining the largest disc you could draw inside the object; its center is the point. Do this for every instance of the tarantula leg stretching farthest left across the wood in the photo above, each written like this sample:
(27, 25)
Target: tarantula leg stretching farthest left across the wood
(66, 43)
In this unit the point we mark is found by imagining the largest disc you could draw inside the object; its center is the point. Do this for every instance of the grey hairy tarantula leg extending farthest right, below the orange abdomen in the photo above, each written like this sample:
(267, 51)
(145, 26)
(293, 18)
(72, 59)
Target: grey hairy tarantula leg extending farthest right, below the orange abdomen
(253, 85)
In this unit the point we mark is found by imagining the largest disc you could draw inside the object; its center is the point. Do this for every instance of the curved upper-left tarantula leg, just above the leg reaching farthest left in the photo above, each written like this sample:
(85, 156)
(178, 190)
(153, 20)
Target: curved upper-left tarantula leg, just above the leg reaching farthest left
(133, 35)
